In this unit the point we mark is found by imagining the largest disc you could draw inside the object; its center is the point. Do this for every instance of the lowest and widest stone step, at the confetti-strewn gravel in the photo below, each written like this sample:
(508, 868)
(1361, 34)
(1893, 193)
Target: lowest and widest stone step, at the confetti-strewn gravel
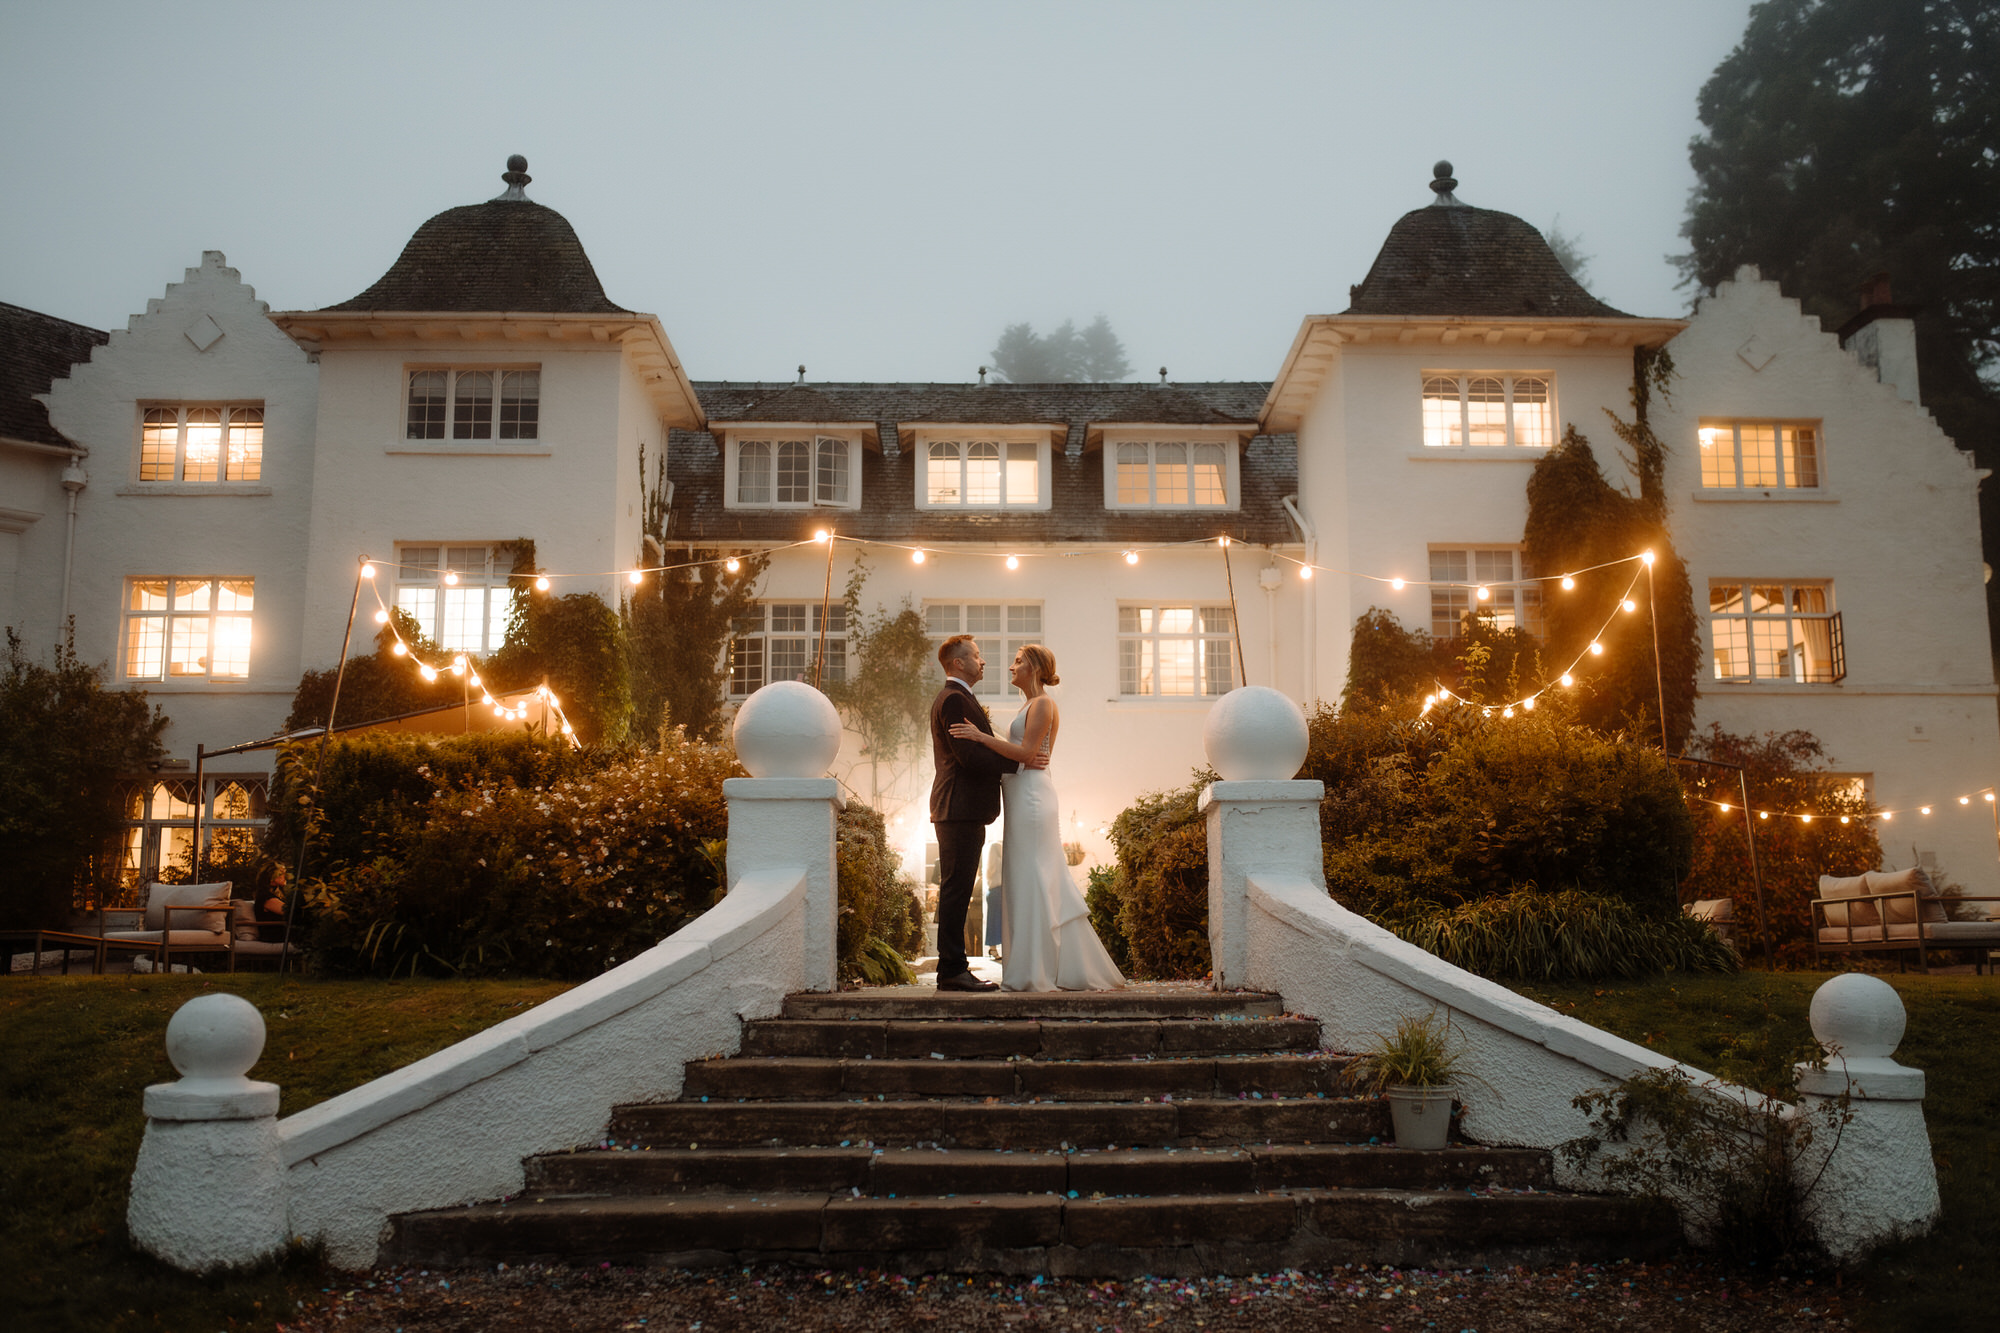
(1047, 1234)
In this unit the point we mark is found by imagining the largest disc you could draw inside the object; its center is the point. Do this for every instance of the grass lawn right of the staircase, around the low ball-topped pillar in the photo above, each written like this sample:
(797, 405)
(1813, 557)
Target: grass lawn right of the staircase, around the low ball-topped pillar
(1753, 1026)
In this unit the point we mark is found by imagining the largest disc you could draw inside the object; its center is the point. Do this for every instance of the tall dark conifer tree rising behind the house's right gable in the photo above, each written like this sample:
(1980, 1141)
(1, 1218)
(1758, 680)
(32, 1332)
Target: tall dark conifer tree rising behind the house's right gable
(1853, 137)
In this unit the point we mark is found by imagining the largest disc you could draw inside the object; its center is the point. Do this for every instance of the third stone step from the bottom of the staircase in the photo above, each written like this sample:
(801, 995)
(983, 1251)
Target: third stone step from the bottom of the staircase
(1001, 1124)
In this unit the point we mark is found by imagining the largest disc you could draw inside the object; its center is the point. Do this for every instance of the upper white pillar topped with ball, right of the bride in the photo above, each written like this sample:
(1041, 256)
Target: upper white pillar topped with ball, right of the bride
(1259, 818)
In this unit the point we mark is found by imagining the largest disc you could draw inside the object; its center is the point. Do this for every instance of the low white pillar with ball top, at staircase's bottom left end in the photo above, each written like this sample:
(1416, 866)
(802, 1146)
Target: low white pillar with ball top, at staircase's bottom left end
(209, 1186)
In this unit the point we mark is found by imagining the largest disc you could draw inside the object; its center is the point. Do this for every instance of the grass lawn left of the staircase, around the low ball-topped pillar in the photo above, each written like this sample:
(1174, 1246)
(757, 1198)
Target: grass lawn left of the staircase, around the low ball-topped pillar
(75, 1062)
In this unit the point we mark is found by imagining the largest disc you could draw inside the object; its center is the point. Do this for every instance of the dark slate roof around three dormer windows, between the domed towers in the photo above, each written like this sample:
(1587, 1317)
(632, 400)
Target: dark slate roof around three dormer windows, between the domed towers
(1269, 469)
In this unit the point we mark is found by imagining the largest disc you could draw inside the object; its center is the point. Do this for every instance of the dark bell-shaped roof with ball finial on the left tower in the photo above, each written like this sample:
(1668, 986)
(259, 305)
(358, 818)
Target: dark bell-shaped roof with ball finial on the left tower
(503, 255)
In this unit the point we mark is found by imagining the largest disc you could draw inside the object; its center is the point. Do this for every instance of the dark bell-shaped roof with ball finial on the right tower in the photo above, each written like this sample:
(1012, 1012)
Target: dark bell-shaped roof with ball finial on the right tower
(1455, 259)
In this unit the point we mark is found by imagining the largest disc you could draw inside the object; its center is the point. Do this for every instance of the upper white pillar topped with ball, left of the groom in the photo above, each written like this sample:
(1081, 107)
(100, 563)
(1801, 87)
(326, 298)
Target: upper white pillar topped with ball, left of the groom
(785, 816)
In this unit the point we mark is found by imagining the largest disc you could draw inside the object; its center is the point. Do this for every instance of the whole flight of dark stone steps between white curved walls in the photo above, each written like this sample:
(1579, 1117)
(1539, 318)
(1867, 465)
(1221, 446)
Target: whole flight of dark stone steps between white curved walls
(1161, 1130)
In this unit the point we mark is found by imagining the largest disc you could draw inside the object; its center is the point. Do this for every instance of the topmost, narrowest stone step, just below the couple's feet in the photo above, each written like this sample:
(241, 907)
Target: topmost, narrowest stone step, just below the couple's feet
(1129, 1006)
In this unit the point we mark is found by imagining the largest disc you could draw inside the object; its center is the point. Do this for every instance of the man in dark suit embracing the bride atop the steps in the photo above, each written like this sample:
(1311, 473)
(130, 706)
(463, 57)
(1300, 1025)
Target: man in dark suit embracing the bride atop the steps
(965, 798)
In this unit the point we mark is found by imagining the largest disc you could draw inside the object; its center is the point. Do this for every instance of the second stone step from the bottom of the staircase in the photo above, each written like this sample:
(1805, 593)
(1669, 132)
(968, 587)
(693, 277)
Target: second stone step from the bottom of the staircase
(973, 1172)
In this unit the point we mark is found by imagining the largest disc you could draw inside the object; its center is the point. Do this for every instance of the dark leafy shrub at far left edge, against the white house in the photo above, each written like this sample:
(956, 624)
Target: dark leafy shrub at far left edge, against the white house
(65, 744)
